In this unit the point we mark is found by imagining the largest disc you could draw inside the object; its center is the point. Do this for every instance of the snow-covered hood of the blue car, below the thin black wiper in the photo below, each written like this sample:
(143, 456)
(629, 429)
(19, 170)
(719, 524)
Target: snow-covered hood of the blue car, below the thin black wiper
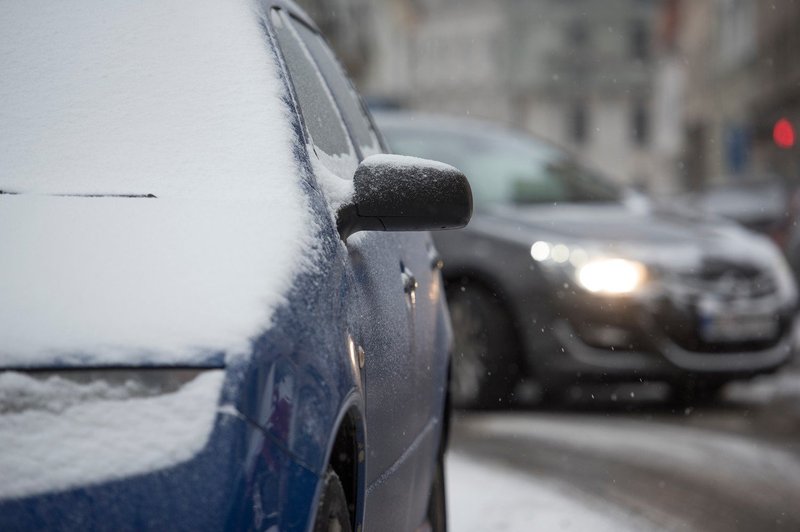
(98, 281)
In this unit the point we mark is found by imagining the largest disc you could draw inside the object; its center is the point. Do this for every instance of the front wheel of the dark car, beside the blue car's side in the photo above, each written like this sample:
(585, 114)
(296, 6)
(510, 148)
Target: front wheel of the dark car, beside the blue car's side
(485, 367)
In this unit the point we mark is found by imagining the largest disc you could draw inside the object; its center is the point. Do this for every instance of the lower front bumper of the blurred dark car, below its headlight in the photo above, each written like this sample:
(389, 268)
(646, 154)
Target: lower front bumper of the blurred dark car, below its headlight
(590, 339)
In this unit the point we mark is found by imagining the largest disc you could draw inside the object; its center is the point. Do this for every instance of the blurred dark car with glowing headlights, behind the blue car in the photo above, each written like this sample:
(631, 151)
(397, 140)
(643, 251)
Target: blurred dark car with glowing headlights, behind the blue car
(565, 278)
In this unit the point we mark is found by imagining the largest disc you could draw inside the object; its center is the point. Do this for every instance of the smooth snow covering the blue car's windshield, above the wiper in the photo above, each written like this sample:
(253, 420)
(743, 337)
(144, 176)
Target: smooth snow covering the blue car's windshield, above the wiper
(167, 98)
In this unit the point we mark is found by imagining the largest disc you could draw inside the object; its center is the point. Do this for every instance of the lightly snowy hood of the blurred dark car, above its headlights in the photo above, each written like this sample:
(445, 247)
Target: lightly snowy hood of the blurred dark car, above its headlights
(667, 238)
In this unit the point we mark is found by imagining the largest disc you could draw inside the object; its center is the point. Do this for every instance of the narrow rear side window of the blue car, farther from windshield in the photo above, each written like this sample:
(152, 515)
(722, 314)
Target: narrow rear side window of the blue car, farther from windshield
(348, 100)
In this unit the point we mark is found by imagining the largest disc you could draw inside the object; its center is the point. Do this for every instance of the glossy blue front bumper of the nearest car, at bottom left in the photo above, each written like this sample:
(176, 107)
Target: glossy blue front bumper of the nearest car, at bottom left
(240, 480)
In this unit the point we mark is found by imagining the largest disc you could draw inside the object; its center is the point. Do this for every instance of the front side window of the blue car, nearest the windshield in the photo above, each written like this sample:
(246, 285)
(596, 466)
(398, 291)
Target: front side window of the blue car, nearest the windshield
(319, 111)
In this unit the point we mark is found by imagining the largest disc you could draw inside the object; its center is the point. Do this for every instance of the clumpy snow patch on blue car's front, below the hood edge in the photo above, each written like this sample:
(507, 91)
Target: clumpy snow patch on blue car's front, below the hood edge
(91, 433)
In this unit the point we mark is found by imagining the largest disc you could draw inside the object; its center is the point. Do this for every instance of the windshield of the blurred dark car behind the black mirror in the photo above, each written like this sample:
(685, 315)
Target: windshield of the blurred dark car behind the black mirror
(506, 169)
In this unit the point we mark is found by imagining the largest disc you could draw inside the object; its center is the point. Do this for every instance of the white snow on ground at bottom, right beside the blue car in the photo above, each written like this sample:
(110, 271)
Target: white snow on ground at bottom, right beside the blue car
(483, 496)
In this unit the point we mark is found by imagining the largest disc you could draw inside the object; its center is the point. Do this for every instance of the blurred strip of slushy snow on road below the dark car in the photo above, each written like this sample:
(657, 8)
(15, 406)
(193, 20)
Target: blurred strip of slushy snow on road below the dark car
(689, 451)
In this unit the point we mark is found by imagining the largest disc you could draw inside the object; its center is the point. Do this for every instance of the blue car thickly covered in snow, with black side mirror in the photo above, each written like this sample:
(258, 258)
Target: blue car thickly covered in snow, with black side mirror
(209, 316)
